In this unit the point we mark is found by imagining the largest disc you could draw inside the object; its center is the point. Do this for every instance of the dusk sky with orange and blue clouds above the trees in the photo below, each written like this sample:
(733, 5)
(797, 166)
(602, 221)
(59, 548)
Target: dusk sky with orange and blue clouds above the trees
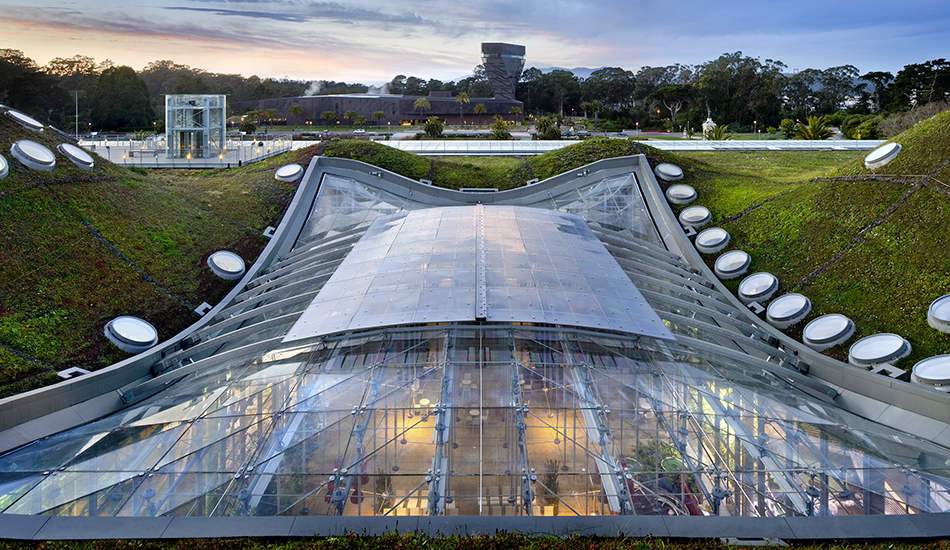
(371, 41)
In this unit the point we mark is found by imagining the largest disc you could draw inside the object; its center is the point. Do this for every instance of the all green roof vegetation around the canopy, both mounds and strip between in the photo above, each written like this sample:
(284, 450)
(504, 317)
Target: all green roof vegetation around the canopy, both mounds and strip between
(78, 248)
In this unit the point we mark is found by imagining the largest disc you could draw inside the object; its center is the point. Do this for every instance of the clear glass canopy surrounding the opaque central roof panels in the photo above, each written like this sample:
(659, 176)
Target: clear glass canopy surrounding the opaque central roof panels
(477, 417)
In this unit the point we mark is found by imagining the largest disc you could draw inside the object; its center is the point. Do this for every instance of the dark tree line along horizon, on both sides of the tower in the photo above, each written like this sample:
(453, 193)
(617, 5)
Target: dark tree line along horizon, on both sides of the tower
(734, 90)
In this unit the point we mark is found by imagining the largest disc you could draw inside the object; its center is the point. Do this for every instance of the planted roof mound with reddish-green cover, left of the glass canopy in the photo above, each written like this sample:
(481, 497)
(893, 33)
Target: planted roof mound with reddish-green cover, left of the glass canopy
(78, 248)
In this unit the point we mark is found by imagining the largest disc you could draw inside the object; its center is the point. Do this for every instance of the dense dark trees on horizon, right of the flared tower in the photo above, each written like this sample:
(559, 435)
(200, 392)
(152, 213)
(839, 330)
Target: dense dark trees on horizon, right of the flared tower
(738, 91)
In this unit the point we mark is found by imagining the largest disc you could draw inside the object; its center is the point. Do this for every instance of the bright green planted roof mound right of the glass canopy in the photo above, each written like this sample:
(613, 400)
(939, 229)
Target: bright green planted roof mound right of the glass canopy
(868, 244)
